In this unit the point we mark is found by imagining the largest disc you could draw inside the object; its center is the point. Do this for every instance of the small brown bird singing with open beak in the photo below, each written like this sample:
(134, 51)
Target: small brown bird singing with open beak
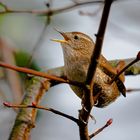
(77, 49)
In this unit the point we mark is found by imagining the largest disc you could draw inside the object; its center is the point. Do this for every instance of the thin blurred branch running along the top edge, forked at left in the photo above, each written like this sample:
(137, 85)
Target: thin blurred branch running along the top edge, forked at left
(49, 12)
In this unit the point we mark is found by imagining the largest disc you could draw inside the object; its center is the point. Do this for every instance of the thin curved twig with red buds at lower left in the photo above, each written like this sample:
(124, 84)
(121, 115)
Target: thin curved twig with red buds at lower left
(42, 108)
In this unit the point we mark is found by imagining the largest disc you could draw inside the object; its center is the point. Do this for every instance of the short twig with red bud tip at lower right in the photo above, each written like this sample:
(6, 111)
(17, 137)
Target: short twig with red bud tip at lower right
(109, 122)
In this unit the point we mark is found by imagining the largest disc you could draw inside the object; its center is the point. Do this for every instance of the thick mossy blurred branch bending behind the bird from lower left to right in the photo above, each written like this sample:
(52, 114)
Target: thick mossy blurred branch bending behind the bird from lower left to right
(35, 90)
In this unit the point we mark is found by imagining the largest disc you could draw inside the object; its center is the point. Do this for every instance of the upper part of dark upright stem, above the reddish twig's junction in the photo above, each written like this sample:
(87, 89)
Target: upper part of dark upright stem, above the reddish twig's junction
(98, 44)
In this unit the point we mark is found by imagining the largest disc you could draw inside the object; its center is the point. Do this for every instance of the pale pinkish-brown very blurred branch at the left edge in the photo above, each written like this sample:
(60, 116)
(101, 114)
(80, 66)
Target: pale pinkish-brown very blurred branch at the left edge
(7, 55)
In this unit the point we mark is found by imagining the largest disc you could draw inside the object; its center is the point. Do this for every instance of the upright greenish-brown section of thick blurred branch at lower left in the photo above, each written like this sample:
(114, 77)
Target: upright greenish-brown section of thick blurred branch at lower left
(25, 119)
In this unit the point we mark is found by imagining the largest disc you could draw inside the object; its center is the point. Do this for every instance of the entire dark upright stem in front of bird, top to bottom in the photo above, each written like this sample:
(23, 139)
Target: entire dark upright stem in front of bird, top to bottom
(88, 100)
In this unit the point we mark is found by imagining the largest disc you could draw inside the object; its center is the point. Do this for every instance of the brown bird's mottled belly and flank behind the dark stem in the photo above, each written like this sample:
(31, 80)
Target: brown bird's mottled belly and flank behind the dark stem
(108, 93)
